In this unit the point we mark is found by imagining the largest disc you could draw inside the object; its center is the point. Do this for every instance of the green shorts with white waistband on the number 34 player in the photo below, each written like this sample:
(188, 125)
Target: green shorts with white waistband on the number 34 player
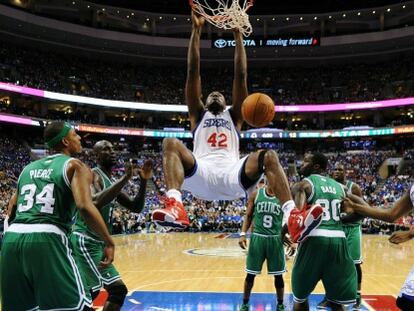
(38, 270)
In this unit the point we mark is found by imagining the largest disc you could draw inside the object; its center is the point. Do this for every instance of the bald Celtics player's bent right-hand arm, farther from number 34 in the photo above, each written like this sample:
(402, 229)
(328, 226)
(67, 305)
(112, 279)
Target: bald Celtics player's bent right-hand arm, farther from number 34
(137, 204)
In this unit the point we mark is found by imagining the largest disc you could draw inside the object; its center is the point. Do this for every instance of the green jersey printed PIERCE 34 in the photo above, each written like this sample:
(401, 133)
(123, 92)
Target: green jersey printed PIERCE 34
(44, 193)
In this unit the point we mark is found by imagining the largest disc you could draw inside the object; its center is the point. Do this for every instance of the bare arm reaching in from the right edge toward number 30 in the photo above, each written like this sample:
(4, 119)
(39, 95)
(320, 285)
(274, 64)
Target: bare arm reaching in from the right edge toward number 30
(402, 207)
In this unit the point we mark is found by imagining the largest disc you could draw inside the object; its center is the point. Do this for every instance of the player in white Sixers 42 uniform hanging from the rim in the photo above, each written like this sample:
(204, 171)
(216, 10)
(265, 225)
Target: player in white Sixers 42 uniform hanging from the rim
(214, 170)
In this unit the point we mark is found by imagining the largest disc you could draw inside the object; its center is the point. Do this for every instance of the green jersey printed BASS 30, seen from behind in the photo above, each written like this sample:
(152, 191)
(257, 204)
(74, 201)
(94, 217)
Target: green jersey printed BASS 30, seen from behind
(328, 193)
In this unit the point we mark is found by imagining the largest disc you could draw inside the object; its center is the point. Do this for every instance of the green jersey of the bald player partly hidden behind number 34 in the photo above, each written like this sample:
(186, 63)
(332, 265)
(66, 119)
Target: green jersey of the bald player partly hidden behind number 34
(106, 211)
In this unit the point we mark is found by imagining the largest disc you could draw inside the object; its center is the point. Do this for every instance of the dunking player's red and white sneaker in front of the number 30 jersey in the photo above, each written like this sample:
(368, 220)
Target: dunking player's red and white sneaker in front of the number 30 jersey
(301, 223)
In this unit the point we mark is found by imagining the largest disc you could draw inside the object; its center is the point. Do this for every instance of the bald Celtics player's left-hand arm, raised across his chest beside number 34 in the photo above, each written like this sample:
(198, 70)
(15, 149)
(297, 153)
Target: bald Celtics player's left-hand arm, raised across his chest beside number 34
(102, 197)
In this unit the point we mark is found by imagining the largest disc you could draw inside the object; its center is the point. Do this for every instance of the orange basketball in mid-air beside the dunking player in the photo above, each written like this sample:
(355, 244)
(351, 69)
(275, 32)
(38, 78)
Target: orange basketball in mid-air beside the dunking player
(258, 109)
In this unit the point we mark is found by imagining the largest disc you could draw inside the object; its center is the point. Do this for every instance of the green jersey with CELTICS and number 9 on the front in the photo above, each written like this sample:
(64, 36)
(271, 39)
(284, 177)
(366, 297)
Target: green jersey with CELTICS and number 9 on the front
(268, 214)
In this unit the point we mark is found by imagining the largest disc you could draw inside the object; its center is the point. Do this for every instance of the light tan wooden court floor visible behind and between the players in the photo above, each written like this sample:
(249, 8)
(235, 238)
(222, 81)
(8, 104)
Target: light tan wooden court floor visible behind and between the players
(203, 262)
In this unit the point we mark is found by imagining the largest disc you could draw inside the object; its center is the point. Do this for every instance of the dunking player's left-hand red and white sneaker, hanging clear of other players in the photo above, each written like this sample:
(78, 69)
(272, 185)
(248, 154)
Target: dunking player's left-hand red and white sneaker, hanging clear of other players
(173, 215)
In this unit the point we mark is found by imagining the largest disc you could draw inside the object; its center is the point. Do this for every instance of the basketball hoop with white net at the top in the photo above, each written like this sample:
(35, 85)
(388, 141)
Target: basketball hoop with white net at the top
(228, 14)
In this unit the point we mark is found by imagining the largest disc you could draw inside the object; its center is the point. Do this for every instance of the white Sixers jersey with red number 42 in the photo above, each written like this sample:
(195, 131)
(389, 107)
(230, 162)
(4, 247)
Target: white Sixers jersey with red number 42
(216, 137)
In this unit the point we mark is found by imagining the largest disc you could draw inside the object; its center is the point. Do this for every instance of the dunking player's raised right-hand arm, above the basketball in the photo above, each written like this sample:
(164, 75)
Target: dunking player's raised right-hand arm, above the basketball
(239, 92)
